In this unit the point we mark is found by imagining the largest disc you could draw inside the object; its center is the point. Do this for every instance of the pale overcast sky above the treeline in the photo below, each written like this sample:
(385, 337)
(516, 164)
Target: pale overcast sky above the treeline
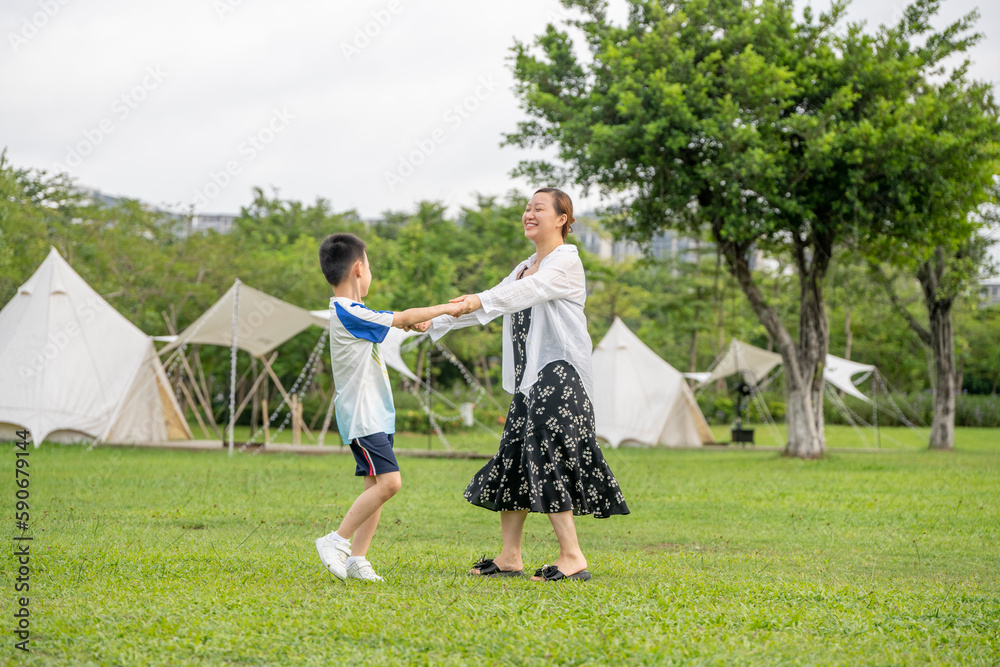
(373, 104)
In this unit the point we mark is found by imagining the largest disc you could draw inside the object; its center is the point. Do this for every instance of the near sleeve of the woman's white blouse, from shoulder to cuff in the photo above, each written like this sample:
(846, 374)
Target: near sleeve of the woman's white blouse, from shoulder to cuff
(559, 277)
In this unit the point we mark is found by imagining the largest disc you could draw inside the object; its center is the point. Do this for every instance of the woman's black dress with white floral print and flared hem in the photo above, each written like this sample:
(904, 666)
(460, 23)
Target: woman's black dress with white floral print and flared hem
(549, 460)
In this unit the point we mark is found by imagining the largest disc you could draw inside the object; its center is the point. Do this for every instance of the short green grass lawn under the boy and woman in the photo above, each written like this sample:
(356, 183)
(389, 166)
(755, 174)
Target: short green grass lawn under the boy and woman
(729, 557)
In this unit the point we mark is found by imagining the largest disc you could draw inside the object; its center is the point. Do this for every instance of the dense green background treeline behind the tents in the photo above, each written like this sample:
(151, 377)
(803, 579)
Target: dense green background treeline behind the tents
(686, 309)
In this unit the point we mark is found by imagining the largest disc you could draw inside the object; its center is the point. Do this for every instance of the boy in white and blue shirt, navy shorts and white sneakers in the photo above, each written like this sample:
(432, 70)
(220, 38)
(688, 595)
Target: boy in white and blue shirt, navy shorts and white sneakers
(365, 412)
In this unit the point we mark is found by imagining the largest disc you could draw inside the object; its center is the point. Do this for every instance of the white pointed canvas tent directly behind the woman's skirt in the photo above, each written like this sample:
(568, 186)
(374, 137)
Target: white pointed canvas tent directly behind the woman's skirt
(640, 398)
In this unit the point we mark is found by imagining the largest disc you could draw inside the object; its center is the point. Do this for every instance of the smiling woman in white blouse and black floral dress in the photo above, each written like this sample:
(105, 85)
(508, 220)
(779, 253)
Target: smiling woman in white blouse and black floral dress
(548, 460)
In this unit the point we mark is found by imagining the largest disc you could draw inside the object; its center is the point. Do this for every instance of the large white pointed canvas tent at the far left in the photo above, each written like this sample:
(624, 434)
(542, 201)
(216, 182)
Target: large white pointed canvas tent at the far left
(75, 369)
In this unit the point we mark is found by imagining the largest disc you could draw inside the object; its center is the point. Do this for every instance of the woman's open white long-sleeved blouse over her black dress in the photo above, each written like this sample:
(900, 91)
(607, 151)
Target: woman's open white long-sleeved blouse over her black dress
(556, 295)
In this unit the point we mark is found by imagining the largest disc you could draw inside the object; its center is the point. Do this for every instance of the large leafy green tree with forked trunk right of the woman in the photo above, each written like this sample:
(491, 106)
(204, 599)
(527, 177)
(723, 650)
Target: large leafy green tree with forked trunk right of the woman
(795, 137)
